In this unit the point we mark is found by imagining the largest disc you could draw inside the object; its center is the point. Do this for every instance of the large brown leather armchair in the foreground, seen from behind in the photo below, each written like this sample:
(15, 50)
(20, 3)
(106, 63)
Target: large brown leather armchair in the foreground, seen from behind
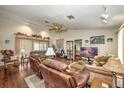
(56, 75)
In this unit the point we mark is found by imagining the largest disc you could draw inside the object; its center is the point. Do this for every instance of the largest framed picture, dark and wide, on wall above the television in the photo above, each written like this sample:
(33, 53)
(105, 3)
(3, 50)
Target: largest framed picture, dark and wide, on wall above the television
(97, 39)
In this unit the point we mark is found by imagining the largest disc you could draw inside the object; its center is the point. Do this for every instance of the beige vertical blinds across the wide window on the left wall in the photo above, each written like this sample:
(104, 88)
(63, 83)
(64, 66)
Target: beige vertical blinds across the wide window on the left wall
(29, 45)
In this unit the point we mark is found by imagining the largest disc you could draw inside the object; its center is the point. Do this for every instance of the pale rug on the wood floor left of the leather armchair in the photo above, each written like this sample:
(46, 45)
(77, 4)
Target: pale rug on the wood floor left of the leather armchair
(34, 81)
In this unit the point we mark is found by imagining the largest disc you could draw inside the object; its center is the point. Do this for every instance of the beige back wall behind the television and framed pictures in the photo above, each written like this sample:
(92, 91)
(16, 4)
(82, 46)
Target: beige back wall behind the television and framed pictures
(103, 49)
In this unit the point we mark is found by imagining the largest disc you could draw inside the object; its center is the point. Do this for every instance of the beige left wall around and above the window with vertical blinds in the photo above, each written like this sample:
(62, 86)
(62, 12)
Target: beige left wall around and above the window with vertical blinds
(10, 24)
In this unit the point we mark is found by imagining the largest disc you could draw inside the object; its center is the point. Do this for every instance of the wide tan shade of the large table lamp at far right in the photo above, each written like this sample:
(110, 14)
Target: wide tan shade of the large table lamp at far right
(114, 65)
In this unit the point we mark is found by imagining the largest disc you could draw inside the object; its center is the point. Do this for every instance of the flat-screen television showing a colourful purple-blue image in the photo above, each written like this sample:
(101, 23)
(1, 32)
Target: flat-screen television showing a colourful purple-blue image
(88, 52)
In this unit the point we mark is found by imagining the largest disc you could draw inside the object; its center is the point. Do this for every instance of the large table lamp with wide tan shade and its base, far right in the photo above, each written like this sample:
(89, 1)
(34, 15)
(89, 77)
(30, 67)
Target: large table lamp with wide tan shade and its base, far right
(115, 67)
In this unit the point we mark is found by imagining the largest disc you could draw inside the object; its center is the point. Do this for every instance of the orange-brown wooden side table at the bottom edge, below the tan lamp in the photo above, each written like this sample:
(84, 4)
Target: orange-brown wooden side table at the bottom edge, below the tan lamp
(99, 82)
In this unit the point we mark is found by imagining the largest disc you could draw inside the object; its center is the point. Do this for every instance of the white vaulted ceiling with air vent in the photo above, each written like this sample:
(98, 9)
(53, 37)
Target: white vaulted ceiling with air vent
(86, 16)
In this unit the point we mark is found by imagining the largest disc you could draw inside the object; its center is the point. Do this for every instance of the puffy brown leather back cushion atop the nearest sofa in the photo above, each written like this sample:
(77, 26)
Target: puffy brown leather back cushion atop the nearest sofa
(55, 64)
